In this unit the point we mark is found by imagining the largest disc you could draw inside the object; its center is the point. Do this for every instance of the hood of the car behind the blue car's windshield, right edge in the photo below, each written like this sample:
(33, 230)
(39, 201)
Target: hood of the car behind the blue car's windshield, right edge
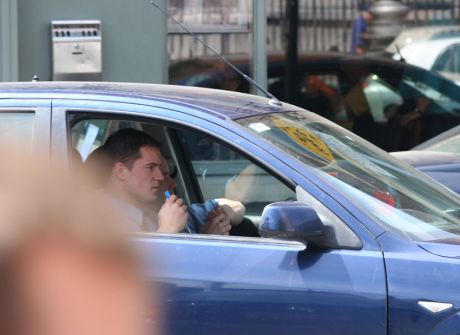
(427, 158)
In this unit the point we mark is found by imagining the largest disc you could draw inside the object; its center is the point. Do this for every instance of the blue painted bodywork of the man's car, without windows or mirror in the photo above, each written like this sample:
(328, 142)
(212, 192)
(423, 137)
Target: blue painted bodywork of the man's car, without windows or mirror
(252, 286)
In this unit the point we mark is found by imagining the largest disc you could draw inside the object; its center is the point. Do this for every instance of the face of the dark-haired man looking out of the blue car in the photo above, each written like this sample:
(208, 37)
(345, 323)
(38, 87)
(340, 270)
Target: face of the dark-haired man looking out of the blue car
(143, 181)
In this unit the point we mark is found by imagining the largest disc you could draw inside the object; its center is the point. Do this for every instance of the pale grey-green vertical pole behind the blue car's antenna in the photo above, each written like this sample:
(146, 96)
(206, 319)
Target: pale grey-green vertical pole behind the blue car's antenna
(259, 64)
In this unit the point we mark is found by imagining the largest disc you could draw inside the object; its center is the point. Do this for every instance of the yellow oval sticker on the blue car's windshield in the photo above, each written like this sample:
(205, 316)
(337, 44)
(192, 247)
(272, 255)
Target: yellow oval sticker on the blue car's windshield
(305, 139)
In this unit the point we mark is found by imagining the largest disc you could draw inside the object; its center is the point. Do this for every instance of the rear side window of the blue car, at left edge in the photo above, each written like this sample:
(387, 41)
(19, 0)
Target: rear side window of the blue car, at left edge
(17, 128)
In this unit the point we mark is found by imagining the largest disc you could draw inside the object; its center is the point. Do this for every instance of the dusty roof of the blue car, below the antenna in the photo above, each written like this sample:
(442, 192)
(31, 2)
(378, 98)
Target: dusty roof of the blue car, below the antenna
(223, 104)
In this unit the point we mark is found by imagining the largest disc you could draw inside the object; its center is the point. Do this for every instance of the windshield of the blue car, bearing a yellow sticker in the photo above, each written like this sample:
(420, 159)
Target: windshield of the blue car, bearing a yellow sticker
(395, 195)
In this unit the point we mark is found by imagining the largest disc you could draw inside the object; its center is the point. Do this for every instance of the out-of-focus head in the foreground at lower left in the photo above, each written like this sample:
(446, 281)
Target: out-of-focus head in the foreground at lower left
(65, 265)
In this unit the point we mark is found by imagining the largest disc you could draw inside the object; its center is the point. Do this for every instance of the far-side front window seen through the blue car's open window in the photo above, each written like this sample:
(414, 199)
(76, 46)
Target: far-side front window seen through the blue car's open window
(222, 172)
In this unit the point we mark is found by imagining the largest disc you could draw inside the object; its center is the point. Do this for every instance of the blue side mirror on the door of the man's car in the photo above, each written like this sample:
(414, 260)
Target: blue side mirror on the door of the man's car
(290, 220)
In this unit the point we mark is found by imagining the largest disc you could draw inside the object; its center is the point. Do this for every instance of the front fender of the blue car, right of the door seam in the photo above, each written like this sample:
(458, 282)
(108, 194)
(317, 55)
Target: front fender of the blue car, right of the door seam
(413, 275)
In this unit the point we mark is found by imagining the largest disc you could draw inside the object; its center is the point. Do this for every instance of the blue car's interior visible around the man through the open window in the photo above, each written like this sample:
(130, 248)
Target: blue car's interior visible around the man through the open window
(203, 167)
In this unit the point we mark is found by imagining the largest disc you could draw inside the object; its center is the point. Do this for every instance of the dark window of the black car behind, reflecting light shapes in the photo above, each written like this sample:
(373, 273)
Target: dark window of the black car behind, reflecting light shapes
(381, 106)
